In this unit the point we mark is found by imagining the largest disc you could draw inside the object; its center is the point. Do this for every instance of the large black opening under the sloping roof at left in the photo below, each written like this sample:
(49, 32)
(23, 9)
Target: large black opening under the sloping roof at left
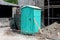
(5, 11)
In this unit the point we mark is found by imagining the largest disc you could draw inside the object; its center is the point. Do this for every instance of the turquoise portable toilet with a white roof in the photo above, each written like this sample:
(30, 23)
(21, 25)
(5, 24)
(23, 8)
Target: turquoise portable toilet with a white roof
(30, 19)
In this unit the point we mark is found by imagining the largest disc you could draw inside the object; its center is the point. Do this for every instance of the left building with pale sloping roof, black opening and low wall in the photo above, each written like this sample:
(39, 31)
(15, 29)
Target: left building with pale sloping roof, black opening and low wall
(6, 12)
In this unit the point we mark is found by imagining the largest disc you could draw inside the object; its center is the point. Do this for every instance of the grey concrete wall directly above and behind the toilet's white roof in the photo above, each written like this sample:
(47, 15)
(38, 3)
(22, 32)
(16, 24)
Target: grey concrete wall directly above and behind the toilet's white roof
(39, 3)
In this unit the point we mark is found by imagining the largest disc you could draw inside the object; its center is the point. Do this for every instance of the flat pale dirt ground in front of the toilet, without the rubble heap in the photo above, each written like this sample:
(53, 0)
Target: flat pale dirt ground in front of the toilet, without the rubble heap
(7, 34)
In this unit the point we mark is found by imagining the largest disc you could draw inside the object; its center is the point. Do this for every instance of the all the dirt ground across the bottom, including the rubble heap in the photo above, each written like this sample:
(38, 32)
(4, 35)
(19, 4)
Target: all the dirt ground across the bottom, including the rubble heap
(51, 32)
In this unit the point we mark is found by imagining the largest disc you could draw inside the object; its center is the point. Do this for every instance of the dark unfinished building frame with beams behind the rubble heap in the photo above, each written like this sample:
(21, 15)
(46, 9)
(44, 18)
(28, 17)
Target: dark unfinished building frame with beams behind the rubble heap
(51, 12)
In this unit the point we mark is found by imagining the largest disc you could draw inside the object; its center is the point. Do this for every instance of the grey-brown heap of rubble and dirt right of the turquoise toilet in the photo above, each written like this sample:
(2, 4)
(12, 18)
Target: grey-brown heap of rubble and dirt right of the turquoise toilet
(51, 32)
